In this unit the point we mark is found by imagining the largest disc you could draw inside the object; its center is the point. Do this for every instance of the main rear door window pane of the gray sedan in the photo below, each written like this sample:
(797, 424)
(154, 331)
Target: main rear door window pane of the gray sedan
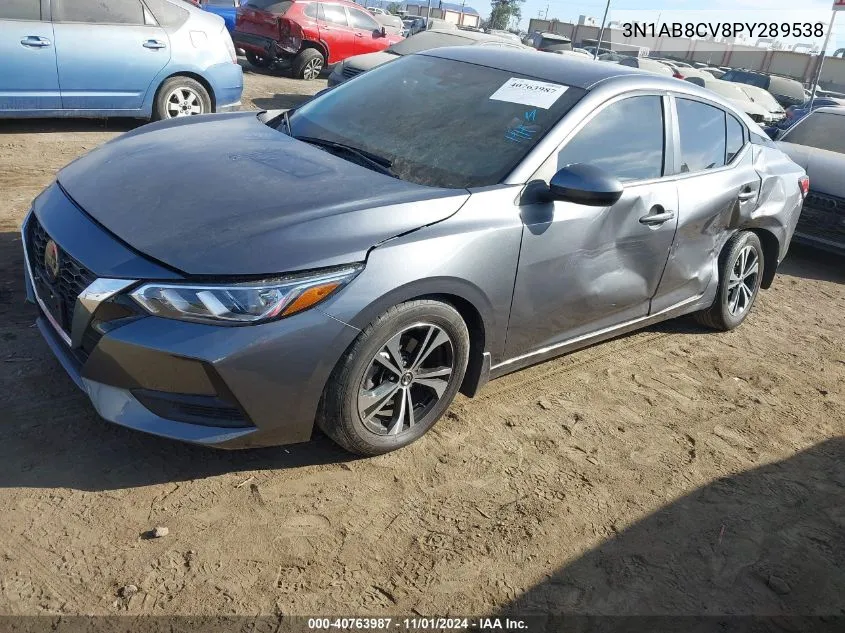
(702, 130)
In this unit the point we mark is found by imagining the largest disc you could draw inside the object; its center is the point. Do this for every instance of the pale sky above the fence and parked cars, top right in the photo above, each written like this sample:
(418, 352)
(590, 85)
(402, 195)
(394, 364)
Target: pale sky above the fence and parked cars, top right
(683, 10)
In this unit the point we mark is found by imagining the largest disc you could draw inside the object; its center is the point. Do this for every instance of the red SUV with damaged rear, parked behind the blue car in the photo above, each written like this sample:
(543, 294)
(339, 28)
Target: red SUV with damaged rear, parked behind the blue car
(306, 35)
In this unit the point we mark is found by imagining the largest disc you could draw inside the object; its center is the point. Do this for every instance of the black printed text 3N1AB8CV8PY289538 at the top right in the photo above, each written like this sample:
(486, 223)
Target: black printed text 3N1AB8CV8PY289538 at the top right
(725, 29)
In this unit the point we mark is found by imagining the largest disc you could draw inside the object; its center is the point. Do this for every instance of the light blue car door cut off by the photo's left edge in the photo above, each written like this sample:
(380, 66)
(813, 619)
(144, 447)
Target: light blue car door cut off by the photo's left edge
(28, 77)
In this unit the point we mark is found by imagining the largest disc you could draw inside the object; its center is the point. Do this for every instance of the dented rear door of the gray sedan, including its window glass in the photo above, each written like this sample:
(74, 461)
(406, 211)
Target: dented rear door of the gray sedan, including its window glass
(717, 183)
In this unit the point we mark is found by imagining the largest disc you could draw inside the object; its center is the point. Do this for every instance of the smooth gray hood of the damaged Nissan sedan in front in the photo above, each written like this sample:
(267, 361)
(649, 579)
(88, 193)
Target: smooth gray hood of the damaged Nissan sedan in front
(228, 195)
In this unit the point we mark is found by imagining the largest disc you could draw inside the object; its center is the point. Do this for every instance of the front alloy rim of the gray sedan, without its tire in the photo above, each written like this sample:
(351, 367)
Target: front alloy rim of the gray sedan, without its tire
(406, 379)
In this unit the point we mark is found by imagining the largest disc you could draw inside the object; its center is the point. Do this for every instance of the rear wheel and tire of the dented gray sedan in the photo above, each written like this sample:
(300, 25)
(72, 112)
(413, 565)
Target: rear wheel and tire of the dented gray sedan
(741, 266)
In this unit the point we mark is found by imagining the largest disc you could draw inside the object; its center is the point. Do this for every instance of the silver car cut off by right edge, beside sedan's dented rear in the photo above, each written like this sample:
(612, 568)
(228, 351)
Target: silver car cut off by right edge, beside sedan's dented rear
(817, 143)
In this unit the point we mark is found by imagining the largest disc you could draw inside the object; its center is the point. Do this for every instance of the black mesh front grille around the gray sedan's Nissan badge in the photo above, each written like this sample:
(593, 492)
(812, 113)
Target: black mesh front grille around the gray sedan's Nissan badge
(59, 295)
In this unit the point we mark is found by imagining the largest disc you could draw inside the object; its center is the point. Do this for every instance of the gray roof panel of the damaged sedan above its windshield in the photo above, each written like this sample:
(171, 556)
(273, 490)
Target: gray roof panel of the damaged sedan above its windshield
(563, 69)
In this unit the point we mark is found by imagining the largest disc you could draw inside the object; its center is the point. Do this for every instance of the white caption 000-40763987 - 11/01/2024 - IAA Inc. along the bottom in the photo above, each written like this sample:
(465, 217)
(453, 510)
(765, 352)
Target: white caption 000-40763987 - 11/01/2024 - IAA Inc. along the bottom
(417, 624)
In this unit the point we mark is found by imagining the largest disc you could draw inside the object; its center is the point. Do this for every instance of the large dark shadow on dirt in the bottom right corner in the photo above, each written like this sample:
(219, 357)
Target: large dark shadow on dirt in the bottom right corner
(768, 542)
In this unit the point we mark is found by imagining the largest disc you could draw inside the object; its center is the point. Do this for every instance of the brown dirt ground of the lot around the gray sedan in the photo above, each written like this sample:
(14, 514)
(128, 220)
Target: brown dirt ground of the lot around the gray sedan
(672, 471)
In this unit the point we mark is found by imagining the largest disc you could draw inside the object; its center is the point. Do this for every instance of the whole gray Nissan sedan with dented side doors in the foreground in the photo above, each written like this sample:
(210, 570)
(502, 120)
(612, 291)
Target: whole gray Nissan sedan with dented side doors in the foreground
(324, 267)
